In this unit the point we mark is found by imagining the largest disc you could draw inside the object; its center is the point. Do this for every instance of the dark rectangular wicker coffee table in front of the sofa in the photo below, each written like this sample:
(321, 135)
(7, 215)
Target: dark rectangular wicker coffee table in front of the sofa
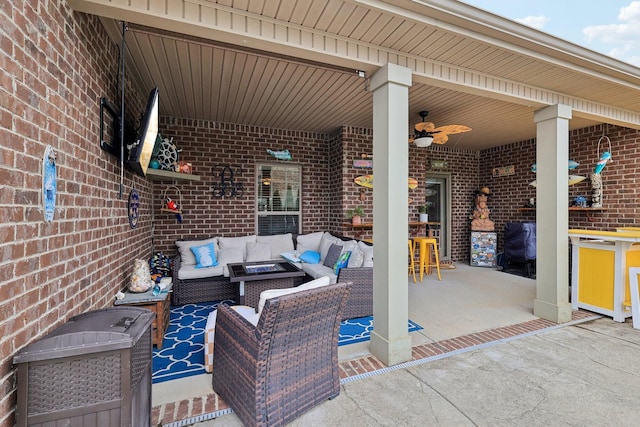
(255, 277)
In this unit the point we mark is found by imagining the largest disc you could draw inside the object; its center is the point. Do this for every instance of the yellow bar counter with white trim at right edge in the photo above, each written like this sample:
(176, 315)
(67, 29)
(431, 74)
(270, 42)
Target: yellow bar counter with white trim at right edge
(599, 270)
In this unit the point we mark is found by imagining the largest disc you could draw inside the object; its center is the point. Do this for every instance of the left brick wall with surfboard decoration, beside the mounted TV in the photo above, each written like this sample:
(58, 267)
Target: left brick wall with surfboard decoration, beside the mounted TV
(55, 66)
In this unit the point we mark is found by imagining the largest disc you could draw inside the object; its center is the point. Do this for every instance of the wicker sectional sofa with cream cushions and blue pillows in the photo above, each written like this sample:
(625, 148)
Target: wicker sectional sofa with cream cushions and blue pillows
(193, 285)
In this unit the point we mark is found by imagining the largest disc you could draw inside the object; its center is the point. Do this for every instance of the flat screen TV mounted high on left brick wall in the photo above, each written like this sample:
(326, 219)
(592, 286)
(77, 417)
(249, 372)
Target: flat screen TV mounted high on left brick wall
(140, 151)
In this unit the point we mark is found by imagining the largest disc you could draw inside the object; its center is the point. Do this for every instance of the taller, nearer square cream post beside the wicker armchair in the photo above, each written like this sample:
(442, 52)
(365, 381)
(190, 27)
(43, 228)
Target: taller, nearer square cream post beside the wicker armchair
(390, 341)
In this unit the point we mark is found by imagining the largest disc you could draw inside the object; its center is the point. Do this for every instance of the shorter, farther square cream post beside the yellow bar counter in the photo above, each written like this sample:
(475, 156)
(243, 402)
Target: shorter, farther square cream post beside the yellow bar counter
(552, 214)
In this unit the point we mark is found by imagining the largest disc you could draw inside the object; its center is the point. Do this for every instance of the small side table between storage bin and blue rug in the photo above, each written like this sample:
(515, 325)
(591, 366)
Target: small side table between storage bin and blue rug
(158, 304)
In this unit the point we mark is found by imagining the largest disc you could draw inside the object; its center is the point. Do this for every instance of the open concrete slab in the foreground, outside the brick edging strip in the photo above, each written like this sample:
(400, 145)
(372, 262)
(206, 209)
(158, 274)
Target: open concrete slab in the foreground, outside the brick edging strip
(581, 375)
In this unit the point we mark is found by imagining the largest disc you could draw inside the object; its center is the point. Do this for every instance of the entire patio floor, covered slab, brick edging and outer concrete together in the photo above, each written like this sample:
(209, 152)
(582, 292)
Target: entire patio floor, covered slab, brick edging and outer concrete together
(478, 327)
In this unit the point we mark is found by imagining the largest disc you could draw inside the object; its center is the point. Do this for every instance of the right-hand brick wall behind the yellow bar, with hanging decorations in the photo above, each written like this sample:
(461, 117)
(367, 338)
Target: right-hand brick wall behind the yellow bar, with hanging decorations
(619, 178)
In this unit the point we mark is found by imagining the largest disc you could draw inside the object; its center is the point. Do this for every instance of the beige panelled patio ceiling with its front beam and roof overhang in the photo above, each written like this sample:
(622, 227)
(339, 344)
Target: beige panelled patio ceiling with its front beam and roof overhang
(292, 65)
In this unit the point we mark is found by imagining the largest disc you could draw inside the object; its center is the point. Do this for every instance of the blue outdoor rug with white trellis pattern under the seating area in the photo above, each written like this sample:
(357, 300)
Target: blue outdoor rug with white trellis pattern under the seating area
(182, 353)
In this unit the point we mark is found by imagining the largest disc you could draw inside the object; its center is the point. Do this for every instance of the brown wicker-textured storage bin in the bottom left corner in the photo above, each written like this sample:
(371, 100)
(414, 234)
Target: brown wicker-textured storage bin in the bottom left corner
(93, 370)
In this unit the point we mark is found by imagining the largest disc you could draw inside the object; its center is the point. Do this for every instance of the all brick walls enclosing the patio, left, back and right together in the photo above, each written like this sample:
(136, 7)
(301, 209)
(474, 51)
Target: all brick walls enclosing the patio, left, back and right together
(56, 64)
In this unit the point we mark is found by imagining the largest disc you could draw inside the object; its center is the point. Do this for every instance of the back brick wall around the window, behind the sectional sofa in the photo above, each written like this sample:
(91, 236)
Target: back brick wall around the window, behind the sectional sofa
(209, 146)
